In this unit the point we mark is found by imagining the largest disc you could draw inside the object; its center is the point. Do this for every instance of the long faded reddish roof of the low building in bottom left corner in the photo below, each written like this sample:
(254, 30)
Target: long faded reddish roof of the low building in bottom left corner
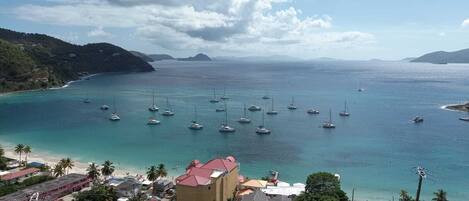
(24, 194)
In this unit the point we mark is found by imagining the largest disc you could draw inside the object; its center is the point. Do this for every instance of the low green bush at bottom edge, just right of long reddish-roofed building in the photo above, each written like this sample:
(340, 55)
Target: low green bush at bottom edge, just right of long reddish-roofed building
(98, 192)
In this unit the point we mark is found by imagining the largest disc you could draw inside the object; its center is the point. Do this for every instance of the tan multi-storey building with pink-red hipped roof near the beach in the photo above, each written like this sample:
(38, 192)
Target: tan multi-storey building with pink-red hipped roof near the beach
(216, 180)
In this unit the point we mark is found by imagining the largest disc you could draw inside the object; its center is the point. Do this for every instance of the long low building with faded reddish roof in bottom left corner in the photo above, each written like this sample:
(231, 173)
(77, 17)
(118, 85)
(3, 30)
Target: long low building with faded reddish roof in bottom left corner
(50, 190)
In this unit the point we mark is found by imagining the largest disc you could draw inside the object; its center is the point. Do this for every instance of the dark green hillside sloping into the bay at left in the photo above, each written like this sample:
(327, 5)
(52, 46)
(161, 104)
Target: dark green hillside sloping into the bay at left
(32, 61)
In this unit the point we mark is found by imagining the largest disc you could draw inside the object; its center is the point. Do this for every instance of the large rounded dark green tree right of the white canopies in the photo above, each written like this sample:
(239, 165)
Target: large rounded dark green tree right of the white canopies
(322, 186)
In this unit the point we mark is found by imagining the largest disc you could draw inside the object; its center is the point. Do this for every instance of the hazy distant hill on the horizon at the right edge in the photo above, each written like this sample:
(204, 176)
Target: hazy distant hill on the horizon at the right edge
(441, 57)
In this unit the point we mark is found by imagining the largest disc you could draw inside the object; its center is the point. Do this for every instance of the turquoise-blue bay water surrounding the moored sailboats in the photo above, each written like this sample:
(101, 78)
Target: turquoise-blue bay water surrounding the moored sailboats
(374, 150)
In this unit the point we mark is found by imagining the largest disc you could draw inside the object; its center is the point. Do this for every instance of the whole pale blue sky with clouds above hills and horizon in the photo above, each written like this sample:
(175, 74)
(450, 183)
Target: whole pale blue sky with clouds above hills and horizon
(307, 29)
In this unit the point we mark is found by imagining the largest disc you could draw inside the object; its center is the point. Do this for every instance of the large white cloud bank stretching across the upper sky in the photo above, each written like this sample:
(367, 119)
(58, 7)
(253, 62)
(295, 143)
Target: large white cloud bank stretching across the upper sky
(241, 26)
